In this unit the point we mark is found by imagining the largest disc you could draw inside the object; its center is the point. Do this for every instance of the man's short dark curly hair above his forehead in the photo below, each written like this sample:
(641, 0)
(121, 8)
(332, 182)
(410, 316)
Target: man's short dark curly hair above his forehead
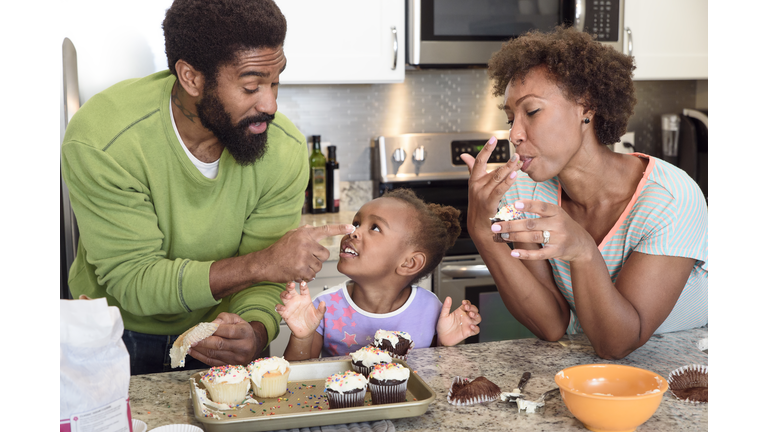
(209, 33)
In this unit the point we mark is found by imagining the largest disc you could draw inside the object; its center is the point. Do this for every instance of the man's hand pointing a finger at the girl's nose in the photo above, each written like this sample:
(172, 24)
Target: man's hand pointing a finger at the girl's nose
(298, 255)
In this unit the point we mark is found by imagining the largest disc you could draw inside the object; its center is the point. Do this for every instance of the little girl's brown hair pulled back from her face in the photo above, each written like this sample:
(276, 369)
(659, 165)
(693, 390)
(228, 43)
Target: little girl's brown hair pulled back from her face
(436, 230)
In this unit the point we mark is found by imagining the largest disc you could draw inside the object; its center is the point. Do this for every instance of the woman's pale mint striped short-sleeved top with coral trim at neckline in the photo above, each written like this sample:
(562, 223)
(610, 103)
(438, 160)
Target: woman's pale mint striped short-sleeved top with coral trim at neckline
(666, 216)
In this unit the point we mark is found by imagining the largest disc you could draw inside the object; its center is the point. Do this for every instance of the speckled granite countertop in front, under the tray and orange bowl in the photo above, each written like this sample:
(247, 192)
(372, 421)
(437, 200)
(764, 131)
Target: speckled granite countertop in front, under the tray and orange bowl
(160, 399)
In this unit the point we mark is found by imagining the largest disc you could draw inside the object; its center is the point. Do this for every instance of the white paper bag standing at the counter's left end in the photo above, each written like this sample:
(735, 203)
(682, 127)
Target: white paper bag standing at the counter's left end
(95, 368)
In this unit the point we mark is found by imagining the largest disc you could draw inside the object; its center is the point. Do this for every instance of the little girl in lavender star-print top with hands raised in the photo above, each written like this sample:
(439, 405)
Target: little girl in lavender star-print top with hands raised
(398, 240)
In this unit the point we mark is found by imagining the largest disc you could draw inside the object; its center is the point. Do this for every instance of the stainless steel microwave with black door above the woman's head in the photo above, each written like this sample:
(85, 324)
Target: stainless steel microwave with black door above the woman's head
(444, 33)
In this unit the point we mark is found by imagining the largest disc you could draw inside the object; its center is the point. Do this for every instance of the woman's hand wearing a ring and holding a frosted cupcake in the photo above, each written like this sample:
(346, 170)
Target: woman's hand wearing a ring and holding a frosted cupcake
(568, 240)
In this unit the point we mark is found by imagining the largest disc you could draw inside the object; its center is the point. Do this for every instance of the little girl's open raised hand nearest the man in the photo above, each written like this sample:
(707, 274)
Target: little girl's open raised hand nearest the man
(298, 311)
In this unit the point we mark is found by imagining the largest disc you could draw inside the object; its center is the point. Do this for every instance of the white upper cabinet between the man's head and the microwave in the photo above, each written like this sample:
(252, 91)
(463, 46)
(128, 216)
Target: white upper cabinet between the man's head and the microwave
(344, 41)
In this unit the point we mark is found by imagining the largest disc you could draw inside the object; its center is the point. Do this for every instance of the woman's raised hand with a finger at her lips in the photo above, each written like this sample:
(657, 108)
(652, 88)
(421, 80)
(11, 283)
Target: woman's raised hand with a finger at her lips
(486, 188)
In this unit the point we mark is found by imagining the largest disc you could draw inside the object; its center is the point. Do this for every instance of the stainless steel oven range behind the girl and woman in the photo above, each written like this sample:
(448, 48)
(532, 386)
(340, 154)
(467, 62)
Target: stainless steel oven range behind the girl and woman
(429, 164)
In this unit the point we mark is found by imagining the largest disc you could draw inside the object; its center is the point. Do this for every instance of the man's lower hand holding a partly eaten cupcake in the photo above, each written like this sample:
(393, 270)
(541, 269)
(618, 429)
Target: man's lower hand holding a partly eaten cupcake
(236, 341)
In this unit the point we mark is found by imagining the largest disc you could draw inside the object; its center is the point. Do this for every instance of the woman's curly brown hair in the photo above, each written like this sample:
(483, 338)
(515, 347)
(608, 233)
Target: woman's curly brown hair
(586, 71)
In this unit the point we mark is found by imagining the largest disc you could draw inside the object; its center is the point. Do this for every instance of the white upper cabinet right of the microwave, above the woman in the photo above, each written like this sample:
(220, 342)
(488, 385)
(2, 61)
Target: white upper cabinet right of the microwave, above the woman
(667, 38)
